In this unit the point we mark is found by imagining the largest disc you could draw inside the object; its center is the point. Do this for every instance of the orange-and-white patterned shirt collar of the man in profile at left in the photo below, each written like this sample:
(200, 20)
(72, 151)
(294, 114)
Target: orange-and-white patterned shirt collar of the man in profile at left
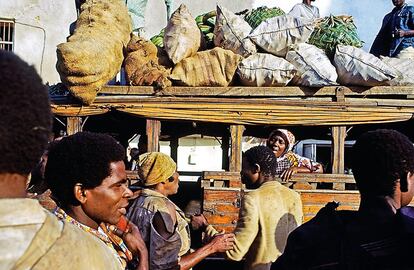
(114, 242)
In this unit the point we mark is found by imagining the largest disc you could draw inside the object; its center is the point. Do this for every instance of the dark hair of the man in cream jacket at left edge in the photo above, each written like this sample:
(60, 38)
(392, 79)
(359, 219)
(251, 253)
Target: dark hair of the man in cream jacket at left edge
(25, 115)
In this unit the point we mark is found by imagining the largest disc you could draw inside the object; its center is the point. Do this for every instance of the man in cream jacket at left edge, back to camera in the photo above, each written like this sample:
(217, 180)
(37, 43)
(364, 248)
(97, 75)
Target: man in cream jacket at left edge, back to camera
(31, 237)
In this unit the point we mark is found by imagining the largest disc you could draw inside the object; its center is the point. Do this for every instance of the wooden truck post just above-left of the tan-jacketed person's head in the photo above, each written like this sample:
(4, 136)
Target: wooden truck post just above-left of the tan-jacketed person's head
(236, 133)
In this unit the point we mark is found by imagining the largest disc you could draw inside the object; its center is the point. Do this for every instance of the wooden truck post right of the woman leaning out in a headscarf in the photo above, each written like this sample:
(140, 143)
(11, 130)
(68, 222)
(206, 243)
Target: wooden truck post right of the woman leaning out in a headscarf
(338, 153)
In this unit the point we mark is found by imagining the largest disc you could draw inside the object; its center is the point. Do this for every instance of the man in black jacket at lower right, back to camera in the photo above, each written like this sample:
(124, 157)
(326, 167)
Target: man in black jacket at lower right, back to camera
(377, 236)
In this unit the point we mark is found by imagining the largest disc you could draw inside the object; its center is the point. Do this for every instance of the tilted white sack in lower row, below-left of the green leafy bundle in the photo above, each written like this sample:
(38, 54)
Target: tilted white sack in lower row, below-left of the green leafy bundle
(314, 67)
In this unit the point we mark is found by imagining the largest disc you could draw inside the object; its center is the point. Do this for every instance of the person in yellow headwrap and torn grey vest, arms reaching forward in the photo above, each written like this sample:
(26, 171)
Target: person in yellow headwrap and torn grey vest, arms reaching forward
(163, 225)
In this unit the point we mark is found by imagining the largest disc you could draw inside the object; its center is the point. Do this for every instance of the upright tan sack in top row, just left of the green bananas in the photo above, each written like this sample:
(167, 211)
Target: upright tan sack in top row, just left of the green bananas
(181, 36)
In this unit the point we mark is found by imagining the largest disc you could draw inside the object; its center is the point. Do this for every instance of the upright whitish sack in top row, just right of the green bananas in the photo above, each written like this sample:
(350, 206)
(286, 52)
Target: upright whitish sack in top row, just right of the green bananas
(231, 32)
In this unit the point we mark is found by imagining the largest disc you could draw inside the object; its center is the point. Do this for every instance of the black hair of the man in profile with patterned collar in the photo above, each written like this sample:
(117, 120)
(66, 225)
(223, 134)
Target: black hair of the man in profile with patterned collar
(83, 158)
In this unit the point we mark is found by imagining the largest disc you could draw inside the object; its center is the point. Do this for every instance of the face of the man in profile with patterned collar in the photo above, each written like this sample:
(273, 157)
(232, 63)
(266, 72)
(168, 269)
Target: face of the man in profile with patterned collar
(108, 201)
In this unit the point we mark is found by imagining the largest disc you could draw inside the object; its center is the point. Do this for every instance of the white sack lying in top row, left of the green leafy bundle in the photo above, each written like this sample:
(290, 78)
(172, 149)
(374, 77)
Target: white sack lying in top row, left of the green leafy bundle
(276, 34)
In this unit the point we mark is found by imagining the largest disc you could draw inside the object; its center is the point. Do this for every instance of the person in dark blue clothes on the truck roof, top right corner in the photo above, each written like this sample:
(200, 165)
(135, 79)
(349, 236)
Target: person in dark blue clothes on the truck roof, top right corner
(397, 31)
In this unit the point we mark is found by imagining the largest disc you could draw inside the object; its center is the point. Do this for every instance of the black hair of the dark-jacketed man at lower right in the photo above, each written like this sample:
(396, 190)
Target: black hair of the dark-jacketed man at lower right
(379, 159)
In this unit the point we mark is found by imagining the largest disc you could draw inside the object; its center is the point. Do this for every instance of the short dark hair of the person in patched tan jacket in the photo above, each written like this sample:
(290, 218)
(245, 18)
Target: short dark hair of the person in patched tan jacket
(264, 157)
